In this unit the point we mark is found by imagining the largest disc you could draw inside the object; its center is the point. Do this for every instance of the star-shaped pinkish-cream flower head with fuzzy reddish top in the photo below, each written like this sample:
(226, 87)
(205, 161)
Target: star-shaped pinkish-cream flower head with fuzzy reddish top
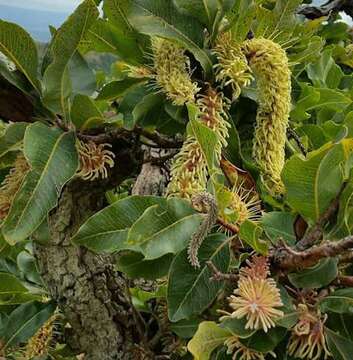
(257, 297)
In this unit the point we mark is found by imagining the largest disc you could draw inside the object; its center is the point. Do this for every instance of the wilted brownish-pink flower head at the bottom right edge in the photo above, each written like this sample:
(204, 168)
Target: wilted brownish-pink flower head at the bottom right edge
(308, 339)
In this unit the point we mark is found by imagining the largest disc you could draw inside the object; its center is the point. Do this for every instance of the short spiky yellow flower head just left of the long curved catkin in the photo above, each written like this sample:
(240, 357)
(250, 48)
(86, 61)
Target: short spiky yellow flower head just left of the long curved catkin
(232, 68)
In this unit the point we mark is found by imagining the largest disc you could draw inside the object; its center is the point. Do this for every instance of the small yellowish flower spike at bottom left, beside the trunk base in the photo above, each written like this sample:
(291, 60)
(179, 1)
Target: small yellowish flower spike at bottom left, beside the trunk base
(39, 343)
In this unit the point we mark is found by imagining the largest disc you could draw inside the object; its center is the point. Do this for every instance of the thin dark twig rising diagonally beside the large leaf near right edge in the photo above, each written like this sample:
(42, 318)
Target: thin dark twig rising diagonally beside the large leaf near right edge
(316, 232)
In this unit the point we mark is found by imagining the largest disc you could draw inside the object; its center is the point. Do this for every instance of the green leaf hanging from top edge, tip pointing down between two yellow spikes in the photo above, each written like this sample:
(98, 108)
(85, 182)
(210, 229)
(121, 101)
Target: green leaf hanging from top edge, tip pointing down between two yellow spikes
(161, 18)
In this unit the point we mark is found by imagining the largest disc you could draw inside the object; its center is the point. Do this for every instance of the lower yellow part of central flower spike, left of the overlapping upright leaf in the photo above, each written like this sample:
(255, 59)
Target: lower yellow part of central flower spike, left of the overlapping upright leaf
(189, 170)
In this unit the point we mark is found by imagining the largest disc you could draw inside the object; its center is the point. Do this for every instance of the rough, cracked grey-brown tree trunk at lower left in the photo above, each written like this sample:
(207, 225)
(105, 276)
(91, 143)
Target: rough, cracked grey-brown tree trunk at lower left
(90, 293)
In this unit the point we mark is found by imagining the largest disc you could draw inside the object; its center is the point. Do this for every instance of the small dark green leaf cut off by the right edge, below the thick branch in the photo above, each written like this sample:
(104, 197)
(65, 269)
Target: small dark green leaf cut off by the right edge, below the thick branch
(340, 301)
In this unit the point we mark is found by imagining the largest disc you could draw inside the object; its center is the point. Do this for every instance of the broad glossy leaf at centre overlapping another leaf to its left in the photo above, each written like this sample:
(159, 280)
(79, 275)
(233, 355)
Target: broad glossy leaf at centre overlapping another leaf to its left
(164, 228)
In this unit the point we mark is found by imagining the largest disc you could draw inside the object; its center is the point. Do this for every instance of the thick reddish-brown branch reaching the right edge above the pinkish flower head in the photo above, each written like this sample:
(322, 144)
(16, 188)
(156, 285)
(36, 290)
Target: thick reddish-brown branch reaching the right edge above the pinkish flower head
(288, 259)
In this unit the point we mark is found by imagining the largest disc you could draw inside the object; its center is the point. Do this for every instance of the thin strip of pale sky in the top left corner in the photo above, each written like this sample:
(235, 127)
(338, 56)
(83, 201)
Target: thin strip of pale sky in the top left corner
(47, 5)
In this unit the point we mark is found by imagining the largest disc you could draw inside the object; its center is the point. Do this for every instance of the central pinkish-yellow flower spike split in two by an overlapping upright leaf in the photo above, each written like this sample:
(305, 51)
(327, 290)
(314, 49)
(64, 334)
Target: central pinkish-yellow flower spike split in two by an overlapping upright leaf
(189, 169)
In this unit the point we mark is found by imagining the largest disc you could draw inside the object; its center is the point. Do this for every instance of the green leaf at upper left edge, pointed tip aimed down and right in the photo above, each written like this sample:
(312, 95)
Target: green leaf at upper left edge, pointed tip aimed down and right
(19, 47)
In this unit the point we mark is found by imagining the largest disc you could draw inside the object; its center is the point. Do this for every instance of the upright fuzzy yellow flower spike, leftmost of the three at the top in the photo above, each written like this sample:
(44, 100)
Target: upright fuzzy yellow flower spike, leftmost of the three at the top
(172, 69)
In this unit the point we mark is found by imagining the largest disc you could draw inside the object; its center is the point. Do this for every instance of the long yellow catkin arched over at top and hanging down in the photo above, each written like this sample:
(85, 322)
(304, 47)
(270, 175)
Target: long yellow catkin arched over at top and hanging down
(269, 63)
